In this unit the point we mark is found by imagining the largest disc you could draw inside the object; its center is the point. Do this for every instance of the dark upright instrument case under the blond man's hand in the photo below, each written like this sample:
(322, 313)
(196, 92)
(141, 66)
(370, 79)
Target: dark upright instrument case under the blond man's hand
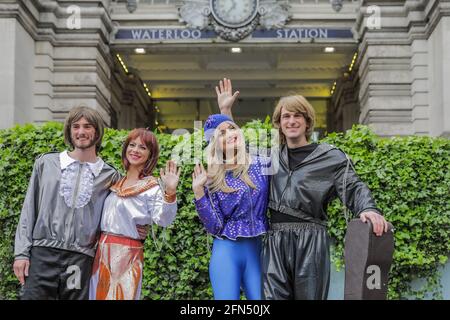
(368, 259)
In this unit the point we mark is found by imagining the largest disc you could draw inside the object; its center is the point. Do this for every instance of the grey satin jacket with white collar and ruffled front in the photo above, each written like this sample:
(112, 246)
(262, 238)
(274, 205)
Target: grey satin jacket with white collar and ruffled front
(63, 205)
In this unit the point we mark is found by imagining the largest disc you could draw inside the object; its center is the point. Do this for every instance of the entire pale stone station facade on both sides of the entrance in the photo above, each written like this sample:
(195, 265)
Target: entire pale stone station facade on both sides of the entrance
(49, 64)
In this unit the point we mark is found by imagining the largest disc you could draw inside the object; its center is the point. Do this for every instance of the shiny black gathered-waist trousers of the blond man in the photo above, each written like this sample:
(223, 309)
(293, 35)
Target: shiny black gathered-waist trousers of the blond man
(295, 262)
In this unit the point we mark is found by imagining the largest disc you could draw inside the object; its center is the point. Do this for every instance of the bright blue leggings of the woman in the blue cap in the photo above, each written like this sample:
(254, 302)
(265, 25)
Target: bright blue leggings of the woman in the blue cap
(236, 263)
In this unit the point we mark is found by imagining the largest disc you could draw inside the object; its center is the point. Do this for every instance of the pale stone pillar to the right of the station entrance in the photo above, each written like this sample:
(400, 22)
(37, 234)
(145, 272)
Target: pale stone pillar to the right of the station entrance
(404, 68)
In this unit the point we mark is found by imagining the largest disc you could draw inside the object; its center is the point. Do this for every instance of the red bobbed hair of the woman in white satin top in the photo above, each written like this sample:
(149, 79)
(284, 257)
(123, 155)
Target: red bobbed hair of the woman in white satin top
(151, 142)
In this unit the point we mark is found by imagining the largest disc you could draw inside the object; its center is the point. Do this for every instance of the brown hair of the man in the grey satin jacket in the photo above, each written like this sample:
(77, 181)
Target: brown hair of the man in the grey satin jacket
(92, 116)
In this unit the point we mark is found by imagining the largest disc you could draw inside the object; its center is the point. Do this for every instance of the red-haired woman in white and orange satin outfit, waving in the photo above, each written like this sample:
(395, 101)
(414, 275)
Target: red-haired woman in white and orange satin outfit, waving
(136, 199)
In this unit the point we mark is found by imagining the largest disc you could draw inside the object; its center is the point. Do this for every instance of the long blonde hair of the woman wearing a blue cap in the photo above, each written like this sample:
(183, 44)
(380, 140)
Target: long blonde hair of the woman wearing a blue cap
(216, 167)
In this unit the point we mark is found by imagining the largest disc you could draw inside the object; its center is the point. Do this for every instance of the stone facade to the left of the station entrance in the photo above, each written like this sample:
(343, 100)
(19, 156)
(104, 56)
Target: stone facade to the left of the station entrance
(49, 65)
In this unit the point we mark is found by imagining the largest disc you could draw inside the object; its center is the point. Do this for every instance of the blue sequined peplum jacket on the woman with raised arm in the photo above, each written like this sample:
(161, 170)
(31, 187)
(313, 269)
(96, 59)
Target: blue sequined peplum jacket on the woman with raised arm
(241, 213)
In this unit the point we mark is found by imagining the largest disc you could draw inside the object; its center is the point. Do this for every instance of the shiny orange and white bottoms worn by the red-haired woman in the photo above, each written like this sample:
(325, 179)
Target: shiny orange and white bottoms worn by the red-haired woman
(117, 269)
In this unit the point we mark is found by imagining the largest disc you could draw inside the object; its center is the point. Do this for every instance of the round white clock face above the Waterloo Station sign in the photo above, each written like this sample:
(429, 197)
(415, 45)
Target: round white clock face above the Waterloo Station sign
(234, 13)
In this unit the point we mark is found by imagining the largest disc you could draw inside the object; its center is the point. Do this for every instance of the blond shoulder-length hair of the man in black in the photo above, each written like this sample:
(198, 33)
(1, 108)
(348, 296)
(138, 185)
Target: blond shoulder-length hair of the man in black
(297, 104)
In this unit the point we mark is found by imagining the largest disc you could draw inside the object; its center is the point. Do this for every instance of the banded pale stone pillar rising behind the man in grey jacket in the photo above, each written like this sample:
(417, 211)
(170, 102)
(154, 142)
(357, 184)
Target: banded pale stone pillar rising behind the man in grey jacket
(77, 47)
